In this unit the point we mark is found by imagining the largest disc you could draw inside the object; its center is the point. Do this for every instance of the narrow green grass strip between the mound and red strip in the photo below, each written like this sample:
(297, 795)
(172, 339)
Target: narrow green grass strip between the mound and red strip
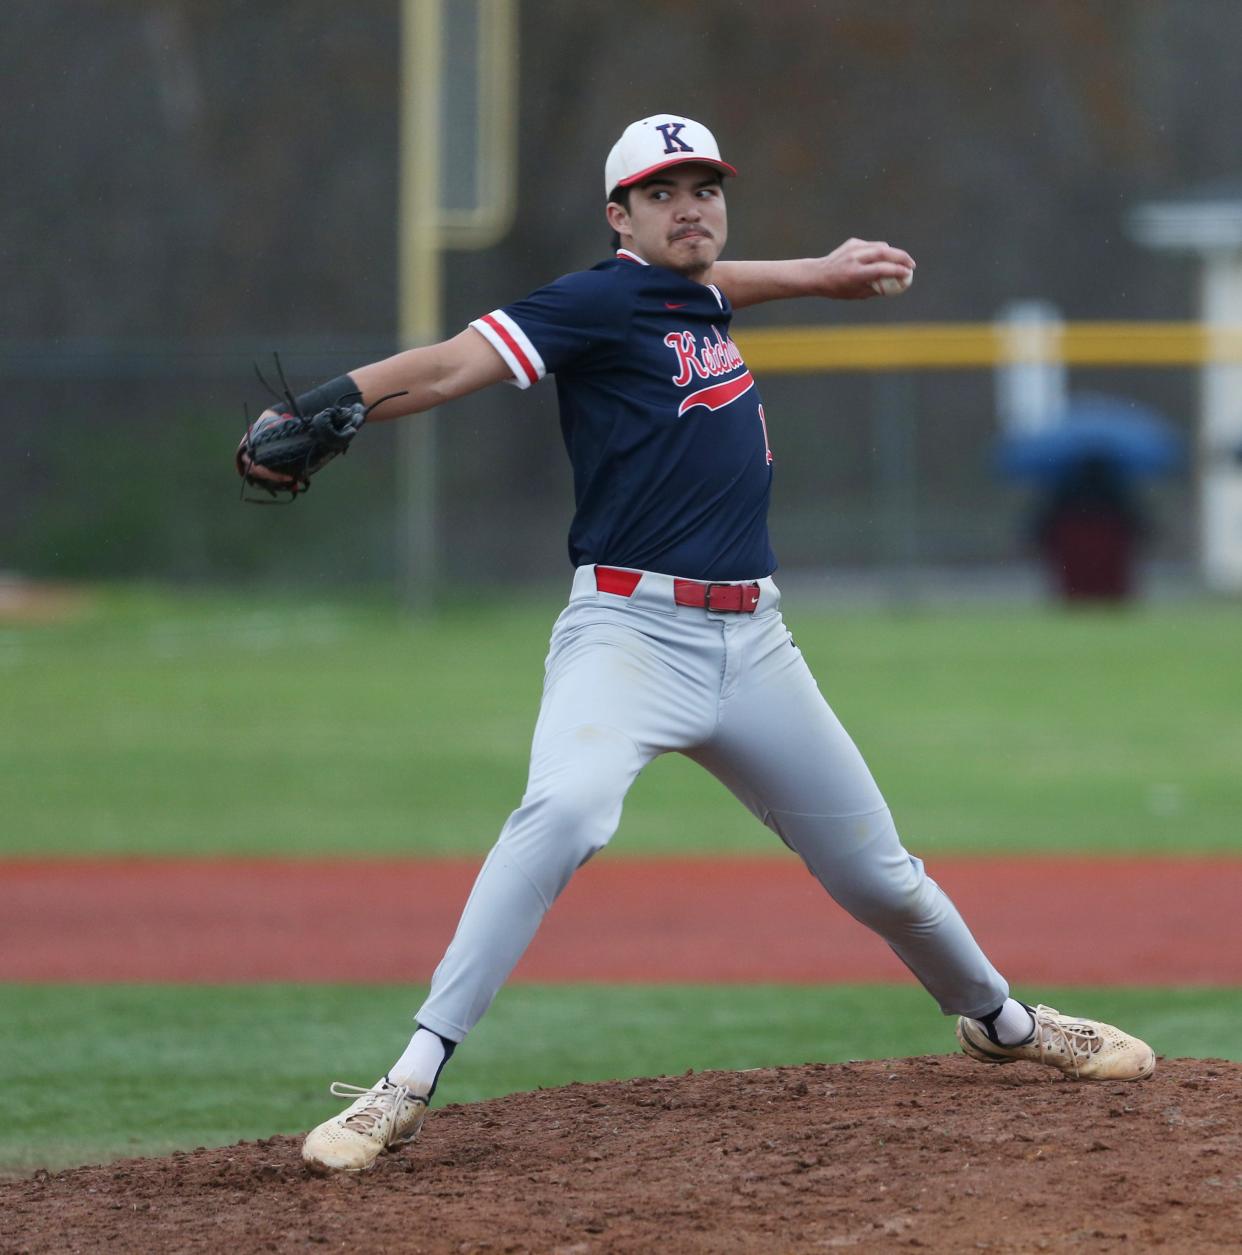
(97, 1072)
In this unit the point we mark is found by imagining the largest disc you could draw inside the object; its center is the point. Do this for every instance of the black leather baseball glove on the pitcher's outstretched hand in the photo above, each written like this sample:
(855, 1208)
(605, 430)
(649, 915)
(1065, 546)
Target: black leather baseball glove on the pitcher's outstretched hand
(282, 450)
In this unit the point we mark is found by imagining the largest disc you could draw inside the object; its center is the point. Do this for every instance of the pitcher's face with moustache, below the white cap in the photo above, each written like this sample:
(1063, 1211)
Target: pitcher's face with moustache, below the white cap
(677, 220)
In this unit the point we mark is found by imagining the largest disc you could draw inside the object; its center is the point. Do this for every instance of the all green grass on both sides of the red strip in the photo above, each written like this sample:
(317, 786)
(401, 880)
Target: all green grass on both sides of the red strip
(211, 725)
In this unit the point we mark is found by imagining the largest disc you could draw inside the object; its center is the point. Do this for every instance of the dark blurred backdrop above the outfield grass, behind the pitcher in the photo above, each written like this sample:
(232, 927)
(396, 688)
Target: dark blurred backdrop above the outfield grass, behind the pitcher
(190, 186)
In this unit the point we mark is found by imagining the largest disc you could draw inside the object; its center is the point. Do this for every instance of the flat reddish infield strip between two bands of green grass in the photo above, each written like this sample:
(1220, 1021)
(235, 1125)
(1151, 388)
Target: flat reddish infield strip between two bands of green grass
(1150, 922)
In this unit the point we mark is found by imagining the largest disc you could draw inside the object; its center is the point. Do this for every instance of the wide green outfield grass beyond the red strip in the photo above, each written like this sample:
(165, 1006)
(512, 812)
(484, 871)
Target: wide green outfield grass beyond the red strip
(209, 725)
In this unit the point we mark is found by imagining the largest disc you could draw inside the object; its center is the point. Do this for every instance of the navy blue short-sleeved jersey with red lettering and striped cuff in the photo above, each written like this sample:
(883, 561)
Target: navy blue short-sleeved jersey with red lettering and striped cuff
(661, 416)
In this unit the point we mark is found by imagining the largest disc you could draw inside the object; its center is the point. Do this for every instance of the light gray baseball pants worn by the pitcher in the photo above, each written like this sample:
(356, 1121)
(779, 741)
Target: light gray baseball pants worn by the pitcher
(632, 678)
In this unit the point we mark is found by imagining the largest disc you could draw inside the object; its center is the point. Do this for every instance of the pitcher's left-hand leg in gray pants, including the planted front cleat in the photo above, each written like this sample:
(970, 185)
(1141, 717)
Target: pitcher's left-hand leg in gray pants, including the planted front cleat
(617, 693)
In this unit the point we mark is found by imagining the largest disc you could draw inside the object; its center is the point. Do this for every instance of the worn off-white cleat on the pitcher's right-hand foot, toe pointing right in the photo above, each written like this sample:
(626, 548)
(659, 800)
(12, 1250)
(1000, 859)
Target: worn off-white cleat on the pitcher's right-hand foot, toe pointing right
(1083, 1050)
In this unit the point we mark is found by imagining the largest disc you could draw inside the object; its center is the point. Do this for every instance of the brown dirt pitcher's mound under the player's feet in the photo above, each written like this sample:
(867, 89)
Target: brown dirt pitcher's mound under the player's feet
(934, 1154)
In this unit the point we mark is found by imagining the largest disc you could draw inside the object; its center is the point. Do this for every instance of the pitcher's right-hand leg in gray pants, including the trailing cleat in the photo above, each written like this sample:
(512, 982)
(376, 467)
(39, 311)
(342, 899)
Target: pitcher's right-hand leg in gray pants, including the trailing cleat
(783, 752)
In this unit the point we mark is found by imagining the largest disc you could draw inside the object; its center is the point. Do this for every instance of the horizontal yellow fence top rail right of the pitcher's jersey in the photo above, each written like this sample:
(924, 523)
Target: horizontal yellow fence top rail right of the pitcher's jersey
(973, 346)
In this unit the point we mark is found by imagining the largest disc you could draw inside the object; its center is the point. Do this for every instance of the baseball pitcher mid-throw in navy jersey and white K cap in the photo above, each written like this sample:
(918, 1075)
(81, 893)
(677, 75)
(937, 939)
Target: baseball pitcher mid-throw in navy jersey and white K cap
(673, 639)
